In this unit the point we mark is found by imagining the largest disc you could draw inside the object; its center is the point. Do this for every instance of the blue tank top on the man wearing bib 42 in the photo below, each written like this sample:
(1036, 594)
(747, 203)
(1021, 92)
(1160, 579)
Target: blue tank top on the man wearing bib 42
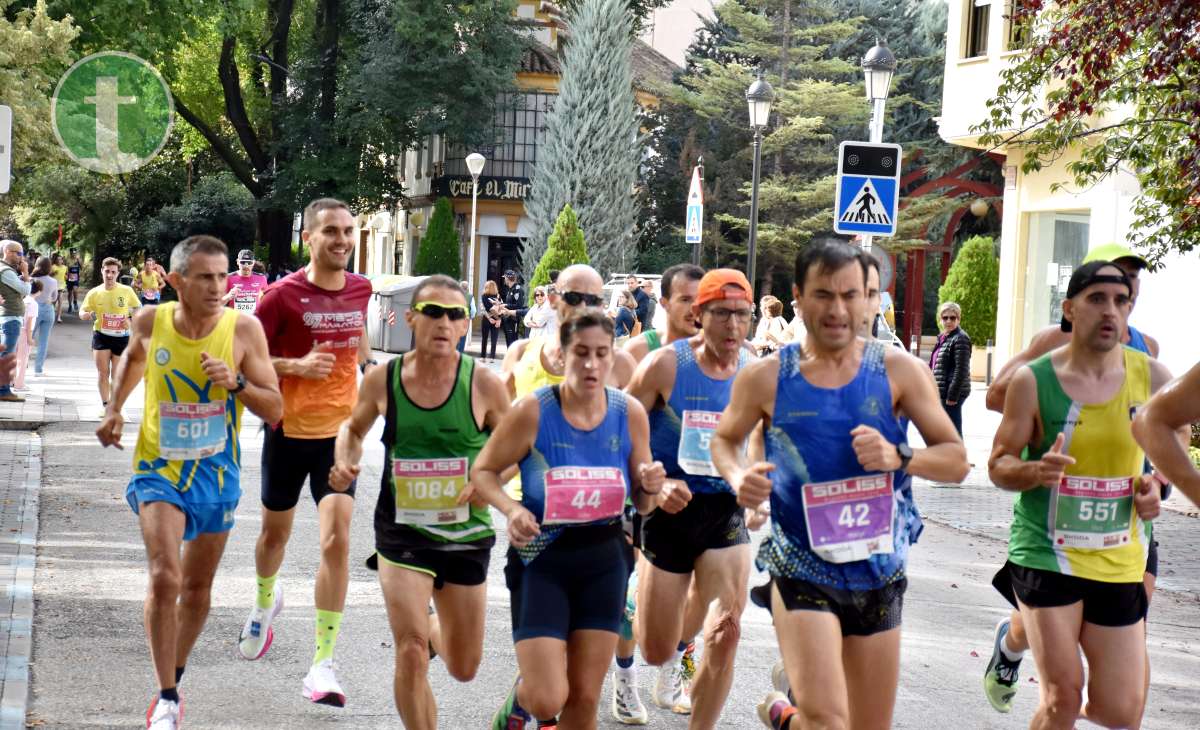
(809, 444)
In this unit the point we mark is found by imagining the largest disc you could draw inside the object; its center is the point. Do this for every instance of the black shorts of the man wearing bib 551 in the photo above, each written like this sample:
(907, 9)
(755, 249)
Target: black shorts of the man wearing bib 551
(1105, 605)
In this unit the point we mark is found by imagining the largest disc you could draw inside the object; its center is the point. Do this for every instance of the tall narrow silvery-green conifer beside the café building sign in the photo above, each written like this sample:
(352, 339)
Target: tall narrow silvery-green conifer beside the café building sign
(592, 149)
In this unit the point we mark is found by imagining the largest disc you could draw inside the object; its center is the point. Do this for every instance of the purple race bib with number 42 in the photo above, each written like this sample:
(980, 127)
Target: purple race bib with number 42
(850, 519)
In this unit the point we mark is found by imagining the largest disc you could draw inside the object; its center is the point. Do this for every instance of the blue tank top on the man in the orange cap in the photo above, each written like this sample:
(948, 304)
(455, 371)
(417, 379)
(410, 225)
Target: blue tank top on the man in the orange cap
(688, 418)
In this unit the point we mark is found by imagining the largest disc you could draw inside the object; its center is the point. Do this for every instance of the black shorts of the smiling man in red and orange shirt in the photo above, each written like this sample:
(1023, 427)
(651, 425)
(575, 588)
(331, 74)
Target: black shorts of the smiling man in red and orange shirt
(289, 462)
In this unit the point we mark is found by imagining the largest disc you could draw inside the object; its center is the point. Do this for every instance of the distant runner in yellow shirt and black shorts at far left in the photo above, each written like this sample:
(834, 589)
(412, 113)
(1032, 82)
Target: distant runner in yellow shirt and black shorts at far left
(112, 307)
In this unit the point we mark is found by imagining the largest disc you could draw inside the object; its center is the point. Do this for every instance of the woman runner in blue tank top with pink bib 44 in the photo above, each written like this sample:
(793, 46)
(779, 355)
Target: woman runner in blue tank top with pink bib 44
(584, 450)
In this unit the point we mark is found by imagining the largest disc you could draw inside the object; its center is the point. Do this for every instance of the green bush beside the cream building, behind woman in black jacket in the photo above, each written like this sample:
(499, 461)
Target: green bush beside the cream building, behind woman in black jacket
(974, 284)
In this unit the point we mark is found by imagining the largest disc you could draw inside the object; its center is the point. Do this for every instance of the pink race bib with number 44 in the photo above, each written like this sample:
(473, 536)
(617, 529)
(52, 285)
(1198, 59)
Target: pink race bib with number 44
(584, 494)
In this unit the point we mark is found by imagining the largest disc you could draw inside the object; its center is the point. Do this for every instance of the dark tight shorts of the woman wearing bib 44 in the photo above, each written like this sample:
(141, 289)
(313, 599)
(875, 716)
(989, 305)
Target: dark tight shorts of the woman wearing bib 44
(578, 583)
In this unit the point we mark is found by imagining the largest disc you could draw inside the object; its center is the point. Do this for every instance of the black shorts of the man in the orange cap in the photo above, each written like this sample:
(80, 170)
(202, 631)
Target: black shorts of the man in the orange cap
(674, 542)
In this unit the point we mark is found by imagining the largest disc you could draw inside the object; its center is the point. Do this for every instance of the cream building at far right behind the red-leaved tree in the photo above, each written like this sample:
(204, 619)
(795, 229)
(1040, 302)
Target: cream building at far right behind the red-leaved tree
(1046, 234)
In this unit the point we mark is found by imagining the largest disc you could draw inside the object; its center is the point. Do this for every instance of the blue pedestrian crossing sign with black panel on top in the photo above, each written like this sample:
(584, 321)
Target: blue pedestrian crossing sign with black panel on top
(868, 192)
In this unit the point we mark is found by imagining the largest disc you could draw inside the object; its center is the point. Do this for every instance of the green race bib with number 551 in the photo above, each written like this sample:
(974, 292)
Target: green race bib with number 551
(1091, 512)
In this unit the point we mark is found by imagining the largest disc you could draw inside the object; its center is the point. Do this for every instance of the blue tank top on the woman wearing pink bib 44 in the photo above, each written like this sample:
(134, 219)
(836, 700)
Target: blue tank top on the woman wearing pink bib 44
(571, 477)
